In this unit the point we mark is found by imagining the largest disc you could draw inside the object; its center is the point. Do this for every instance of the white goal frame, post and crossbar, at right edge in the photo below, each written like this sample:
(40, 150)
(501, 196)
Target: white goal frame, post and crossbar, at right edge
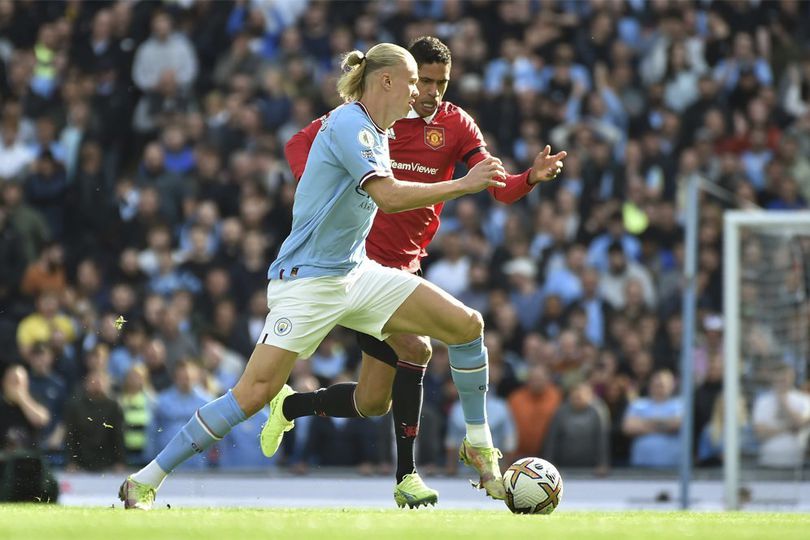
(733, 221)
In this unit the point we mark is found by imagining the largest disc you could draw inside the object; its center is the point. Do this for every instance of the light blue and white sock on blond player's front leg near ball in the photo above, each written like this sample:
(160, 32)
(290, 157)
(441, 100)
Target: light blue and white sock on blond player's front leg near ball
(470, 370)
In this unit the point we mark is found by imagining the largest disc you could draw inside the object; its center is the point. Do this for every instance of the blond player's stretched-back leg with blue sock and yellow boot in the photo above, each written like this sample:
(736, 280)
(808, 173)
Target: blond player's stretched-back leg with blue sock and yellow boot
(267, 370)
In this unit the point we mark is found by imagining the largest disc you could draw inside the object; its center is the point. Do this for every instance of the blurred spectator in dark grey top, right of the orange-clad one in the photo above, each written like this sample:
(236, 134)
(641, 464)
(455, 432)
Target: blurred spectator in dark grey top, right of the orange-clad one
(579, 433)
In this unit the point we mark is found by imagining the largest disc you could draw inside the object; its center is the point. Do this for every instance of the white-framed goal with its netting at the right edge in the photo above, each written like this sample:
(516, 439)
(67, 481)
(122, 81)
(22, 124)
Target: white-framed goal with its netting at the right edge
(766, 282)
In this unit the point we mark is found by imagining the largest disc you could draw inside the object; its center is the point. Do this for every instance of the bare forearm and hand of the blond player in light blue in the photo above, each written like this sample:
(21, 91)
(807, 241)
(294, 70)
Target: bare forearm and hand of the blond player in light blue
(393, 195)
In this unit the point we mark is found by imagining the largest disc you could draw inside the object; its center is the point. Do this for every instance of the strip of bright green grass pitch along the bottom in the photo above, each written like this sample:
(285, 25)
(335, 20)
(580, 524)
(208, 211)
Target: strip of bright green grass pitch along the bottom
(28, 522)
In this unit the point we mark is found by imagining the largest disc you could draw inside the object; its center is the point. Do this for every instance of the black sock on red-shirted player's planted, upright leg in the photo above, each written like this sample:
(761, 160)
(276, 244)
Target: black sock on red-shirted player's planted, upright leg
(407, 408)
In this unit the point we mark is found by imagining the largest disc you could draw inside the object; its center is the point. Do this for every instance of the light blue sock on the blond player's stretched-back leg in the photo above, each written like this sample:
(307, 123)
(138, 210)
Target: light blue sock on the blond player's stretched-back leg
(208, 425)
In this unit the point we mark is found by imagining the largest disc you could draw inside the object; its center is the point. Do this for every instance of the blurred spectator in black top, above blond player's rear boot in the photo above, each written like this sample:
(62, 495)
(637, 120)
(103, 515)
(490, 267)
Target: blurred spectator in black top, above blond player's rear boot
(94, 425)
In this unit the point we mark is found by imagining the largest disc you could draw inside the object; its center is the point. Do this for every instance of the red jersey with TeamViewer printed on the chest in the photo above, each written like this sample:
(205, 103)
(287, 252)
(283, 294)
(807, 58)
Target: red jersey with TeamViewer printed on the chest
(422, 150)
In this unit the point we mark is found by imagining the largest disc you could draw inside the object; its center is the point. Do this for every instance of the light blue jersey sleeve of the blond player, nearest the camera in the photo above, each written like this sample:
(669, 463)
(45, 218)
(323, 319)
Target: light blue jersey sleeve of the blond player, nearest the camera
(360, 148)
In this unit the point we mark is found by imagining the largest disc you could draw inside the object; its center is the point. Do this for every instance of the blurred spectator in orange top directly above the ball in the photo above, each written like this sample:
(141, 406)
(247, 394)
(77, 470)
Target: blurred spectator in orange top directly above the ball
(533, 407)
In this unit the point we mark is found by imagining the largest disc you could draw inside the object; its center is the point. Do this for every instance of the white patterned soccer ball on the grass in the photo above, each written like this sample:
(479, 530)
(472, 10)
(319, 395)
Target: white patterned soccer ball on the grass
(533, 486)
